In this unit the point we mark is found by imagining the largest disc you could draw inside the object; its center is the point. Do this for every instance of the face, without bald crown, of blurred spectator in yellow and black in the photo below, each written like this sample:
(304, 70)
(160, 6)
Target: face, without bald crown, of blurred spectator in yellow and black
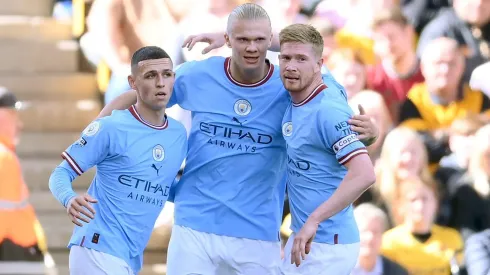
(443, 70)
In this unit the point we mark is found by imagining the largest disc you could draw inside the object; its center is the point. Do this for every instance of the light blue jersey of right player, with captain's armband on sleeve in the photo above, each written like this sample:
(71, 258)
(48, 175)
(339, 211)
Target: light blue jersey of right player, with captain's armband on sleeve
(319, 143)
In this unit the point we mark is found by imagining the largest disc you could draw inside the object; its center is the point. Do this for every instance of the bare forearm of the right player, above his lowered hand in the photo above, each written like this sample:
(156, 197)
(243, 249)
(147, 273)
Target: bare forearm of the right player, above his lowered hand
(351, 187)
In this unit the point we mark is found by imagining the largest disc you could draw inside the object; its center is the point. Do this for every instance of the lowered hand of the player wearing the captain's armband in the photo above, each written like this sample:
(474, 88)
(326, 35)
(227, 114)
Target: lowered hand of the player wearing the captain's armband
(302, 241)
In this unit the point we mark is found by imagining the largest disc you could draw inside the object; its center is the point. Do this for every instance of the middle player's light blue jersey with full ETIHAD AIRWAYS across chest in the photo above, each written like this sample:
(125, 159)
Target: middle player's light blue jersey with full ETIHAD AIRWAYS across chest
(233, 182)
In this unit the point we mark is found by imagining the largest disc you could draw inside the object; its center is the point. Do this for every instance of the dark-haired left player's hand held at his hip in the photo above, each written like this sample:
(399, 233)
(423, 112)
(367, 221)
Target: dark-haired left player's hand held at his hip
(79, 205)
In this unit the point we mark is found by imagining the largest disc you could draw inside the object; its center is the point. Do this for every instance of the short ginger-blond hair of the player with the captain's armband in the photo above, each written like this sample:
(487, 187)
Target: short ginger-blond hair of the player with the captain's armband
(302, 33)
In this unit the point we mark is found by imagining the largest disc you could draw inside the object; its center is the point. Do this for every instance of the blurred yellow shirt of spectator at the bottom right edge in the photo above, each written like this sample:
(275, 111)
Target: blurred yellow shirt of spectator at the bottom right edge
(429, 258)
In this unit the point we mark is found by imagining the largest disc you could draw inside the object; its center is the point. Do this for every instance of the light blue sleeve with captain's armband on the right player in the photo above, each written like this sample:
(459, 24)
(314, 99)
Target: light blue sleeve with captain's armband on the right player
(336, 133)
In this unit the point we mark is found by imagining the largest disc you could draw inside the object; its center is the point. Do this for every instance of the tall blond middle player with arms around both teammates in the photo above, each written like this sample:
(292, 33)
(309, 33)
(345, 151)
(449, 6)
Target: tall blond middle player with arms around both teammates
(228, 203)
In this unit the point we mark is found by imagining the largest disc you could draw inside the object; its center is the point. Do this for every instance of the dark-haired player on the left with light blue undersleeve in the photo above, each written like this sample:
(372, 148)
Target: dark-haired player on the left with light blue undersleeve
(138, 152)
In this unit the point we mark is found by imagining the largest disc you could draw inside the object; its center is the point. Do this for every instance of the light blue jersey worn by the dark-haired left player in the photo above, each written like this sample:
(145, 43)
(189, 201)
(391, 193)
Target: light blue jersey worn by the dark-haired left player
(136, 165)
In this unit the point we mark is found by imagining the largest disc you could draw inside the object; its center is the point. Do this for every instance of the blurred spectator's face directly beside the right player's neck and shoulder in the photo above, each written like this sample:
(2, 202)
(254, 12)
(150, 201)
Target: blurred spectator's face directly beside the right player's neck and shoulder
(350, 74)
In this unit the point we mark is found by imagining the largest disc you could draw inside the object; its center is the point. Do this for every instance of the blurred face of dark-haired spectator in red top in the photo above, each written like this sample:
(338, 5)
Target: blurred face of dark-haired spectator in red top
(393, 40)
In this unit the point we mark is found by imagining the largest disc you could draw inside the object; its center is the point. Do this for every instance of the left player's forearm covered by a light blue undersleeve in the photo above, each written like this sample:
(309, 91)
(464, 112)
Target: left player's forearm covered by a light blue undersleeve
(60, 183)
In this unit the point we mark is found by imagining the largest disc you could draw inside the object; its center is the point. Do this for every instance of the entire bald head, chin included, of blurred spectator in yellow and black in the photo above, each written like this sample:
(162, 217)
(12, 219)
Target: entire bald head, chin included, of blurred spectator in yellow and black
(443, 67)
